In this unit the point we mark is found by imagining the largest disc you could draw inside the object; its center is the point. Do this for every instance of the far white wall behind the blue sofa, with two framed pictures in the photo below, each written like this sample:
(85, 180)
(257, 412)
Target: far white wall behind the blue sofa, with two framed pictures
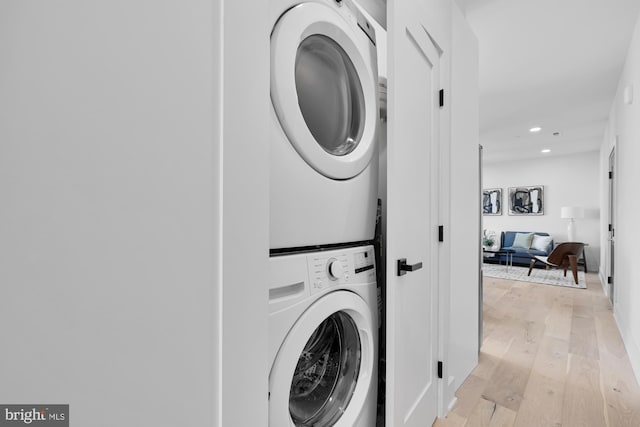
(568, 181)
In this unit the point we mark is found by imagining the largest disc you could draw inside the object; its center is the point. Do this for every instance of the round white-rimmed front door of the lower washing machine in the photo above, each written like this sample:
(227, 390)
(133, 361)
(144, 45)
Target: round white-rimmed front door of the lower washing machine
(323, 370)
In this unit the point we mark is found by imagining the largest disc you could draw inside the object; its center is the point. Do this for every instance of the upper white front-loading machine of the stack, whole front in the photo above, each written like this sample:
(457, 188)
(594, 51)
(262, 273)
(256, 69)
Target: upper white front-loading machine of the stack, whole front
(323, 163)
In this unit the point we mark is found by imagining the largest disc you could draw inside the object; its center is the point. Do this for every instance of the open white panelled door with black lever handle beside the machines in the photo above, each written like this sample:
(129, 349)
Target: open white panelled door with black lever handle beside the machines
(412, 220)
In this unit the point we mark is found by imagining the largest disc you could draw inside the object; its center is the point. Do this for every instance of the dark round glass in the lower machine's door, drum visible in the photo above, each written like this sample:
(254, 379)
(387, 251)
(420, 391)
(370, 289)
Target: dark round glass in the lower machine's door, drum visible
(326, 374)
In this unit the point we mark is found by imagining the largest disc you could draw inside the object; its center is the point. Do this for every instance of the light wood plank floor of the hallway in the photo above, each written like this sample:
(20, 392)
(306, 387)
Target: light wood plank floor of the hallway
(551, 356)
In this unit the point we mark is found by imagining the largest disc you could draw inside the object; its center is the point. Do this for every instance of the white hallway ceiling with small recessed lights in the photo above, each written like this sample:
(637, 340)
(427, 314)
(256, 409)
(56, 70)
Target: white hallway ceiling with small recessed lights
(548, 63)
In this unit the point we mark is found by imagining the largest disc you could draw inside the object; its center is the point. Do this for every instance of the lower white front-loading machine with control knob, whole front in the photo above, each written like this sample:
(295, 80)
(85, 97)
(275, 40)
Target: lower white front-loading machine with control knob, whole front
(323, 333)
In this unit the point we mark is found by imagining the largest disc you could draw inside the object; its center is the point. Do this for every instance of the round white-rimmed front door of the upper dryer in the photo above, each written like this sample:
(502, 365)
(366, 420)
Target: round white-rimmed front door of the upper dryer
(323, 89)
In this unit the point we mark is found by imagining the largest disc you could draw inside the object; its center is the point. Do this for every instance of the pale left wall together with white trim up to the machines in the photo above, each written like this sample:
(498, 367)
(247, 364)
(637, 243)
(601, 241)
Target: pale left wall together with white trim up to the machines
(122, 292)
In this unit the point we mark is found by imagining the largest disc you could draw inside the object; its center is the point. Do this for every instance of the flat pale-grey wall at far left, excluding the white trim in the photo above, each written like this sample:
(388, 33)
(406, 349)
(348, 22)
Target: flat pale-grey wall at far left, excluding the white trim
(106, 238)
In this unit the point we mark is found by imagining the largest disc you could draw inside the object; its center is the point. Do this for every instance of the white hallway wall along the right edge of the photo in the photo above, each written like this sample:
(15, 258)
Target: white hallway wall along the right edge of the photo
(624, 125)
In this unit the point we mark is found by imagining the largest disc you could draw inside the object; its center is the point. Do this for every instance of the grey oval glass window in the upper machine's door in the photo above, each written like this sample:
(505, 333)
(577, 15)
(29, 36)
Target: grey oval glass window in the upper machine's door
(329, 94)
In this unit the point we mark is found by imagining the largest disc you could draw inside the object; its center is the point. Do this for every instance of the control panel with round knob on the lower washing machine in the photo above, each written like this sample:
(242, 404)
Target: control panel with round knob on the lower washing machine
(340, 267)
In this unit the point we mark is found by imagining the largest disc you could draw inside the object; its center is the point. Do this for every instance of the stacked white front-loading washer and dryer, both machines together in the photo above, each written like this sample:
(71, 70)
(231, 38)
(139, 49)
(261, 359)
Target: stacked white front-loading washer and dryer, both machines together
(323, 305)
